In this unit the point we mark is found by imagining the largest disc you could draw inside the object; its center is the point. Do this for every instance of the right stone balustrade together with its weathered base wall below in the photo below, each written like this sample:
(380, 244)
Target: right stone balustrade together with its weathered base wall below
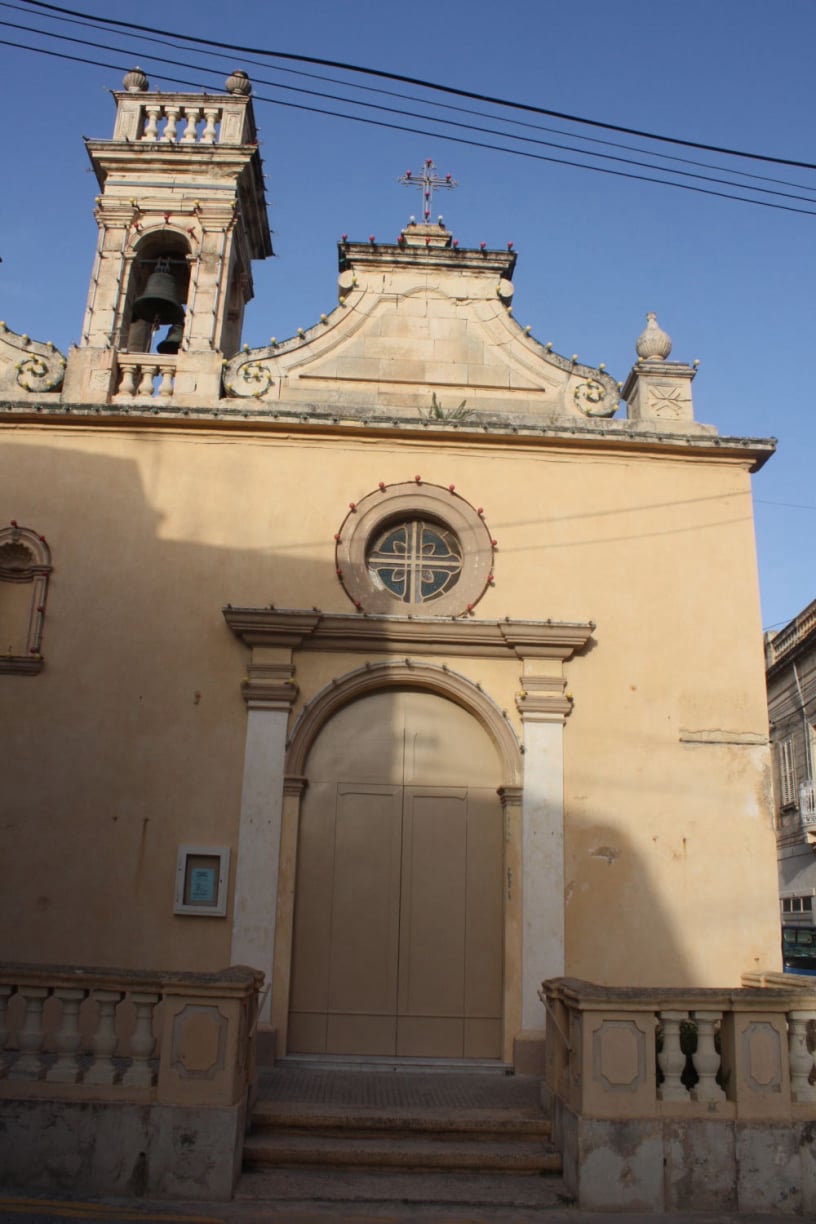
(673, 1100)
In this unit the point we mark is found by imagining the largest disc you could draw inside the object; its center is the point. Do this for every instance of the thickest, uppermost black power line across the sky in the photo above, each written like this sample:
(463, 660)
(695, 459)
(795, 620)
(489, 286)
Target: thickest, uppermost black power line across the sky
(426, 85)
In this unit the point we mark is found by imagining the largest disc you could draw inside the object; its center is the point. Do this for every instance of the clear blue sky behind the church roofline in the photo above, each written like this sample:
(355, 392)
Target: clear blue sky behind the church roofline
(731, 282)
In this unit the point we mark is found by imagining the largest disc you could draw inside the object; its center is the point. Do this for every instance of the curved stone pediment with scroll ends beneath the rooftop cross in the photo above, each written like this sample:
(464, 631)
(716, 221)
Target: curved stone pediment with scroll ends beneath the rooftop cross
(425, 332)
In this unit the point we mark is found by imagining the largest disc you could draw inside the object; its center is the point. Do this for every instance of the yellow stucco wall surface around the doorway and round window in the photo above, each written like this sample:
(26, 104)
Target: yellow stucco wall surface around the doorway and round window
(132, 740)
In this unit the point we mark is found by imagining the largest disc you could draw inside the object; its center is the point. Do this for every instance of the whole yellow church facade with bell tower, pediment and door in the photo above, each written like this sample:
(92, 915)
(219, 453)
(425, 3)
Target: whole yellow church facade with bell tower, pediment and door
(404, 660)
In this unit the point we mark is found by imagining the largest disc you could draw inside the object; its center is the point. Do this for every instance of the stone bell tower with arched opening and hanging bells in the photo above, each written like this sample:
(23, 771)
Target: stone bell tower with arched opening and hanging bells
(182, 216)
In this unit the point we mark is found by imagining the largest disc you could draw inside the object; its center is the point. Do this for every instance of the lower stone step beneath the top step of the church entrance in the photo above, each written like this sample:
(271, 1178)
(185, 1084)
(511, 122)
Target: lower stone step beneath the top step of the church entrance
(418, 1152)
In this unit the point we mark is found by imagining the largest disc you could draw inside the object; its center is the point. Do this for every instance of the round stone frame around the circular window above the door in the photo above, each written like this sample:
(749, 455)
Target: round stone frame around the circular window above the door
(388, 505)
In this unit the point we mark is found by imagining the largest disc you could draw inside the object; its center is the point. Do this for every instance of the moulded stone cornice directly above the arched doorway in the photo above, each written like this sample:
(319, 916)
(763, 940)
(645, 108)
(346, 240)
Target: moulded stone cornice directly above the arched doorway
(464, 637)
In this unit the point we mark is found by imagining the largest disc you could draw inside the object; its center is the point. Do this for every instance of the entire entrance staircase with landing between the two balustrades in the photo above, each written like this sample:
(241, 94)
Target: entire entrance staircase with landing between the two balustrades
(423, 1134)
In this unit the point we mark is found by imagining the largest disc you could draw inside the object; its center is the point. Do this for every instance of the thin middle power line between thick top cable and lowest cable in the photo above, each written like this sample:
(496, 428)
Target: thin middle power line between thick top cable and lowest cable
(412, 114)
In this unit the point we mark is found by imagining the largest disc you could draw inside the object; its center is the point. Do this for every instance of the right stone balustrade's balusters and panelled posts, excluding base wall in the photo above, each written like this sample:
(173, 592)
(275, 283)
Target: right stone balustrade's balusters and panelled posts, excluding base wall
(656, 1053)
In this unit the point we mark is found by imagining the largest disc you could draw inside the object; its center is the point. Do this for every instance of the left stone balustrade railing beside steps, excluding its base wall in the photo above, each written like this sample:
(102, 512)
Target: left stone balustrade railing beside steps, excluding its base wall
(121, 1035)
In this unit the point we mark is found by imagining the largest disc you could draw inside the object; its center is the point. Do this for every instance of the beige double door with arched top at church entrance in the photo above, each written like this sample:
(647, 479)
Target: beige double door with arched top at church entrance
(398, 937)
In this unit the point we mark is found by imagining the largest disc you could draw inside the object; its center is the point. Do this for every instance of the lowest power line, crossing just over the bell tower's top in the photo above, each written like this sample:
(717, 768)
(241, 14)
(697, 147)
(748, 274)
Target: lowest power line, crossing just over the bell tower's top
(459, 140)
